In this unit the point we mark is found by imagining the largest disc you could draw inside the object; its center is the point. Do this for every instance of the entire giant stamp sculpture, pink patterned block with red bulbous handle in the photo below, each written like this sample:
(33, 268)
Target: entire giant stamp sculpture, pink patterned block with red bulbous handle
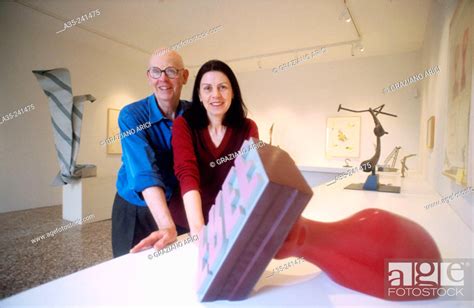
(257, 216)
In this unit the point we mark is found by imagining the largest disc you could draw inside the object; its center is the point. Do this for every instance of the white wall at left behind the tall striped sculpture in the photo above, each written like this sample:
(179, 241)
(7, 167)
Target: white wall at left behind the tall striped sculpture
(113, 73)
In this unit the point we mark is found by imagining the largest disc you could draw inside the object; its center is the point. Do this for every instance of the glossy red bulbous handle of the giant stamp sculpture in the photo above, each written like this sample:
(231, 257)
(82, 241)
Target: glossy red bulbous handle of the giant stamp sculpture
(352, 251)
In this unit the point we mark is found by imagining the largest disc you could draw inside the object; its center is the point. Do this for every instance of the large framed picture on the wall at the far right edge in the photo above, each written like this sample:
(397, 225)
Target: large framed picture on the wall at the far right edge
(456, 151)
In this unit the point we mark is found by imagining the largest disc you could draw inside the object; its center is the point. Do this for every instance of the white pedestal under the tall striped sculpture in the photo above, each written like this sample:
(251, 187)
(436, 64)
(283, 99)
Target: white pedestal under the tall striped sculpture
(89, 197)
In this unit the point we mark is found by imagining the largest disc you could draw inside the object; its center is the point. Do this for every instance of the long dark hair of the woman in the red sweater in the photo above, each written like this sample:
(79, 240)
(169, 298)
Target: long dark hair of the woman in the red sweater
(196, 116)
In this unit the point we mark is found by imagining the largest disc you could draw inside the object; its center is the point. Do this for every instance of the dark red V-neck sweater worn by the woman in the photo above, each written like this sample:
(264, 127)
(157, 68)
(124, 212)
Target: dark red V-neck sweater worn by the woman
(200, 165)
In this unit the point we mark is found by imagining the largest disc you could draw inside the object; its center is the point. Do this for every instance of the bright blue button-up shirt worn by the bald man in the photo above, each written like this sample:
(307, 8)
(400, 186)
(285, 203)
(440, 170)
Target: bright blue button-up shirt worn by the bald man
(147, 158)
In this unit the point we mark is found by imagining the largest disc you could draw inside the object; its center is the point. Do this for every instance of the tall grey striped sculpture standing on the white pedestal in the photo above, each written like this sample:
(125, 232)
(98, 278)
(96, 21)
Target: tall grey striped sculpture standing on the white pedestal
(66, 118)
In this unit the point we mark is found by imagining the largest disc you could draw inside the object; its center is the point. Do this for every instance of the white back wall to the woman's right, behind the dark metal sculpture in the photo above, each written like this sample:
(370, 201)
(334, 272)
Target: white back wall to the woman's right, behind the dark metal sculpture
(300, 99)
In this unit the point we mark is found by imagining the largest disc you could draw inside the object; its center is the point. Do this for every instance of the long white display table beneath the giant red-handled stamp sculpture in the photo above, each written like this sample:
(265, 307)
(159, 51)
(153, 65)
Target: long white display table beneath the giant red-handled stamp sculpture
(169, 280)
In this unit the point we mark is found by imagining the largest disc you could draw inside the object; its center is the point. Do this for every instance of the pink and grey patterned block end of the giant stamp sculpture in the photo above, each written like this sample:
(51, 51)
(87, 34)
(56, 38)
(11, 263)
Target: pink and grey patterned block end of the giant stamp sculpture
(261, 198)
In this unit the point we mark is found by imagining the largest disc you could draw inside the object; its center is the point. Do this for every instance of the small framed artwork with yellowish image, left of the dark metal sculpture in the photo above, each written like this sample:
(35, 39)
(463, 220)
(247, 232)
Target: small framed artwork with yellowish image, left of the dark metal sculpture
(343, 137)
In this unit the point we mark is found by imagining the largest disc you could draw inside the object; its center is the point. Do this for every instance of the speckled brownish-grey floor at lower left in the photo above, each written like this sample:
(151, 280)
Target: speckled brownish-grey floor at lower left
(25, 265)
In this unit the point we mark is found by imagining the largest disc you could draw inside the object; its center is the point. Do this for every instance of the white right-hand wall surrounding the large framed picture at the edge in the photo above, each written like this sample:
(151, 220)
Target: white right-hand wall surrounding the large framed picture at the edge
(434, 99)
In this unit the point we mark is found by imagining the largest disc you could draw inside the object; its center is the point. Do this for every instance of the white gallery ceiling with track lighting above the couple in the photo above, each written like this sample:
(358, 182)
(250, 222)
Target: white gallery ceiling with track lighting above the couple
(254, 34)
